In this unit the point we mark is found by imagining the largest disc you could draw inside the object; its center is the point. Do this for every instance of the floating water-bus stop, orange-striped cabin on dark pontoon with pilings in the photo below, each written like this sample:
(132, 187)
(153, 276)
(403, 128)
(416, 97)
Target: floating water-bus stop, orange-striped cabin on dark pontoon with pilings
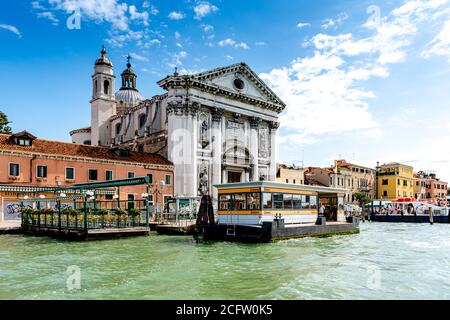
(270, 211)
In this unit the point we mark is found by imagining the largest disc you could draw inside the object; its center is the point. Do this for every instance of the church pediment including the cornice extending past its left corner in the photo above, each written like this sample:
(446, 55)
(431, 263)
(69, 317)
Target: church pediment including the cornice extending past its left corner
(237, 81)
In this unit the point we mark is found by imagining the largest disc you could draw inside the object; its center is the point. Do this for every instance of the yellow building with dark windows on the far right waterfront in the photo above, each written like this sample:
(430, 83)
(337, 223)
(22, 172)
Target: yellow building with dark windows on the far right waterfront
(395, 181)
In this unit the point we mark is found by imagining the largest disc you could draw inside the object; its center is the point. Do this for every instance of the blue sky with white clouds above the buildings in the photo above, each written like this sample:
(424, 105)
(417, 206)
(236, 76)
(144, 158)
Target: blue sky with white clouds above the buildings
(366, 81)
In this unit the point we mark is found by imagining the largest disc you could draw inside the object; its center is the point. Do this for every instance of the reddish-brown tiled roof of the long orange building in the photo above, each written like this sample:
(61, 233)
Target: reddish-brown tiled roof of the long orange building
(82, 151)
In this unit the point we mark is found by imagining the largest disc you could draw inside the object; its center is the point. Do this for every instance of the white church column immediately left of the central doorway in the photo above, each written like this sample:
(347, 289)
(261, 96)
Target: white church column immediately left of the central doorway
(216, 172)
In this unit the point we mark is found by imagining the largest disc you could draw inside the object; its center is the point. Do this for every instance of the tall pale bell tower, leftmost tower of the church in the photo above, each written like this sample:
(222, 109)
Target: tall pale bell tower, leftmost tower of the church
(103, 103)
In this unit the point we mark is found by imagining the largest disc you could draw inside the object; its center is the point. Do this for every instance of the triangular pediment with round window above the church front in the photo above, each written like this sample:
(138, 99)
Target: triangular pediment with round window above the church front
(241, 79)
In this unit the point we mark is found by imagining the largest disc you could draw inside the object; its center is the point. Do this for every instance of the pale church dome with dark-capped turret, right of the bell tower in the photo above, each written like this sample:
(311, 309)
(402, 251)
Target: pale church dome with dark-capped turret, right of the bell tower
(128, 95)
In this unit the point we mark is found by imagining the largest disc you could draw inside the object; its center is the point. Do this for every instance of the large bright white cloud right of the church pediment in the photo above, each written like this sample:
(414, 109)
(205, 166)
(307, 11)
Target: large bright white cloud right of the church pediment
(323, 92)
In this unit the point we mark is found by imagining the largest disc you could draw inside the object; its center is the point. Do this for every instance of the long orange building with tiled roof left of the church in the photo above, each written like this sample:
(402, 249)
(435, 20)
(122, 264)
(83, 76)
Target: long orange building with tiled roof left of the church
(34, 167)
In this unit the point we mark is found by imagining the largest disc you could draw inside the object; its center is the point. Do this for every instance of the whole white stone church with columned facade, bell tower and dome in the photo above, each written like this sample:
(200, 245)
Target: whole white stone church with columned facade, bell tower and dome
(216, 127)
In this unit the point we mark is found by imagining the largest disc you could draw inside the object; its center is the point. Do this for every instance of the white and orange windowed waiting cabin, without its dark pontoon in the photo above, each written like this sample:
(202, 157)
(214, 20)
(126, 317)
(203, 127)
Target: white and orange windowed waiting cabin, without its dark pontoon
(255, 202)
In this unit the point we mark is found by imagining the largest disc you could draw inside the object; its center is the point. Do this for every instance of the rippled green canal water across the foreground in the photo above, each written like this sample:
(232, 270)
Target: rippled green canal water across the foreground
(385, 261)
